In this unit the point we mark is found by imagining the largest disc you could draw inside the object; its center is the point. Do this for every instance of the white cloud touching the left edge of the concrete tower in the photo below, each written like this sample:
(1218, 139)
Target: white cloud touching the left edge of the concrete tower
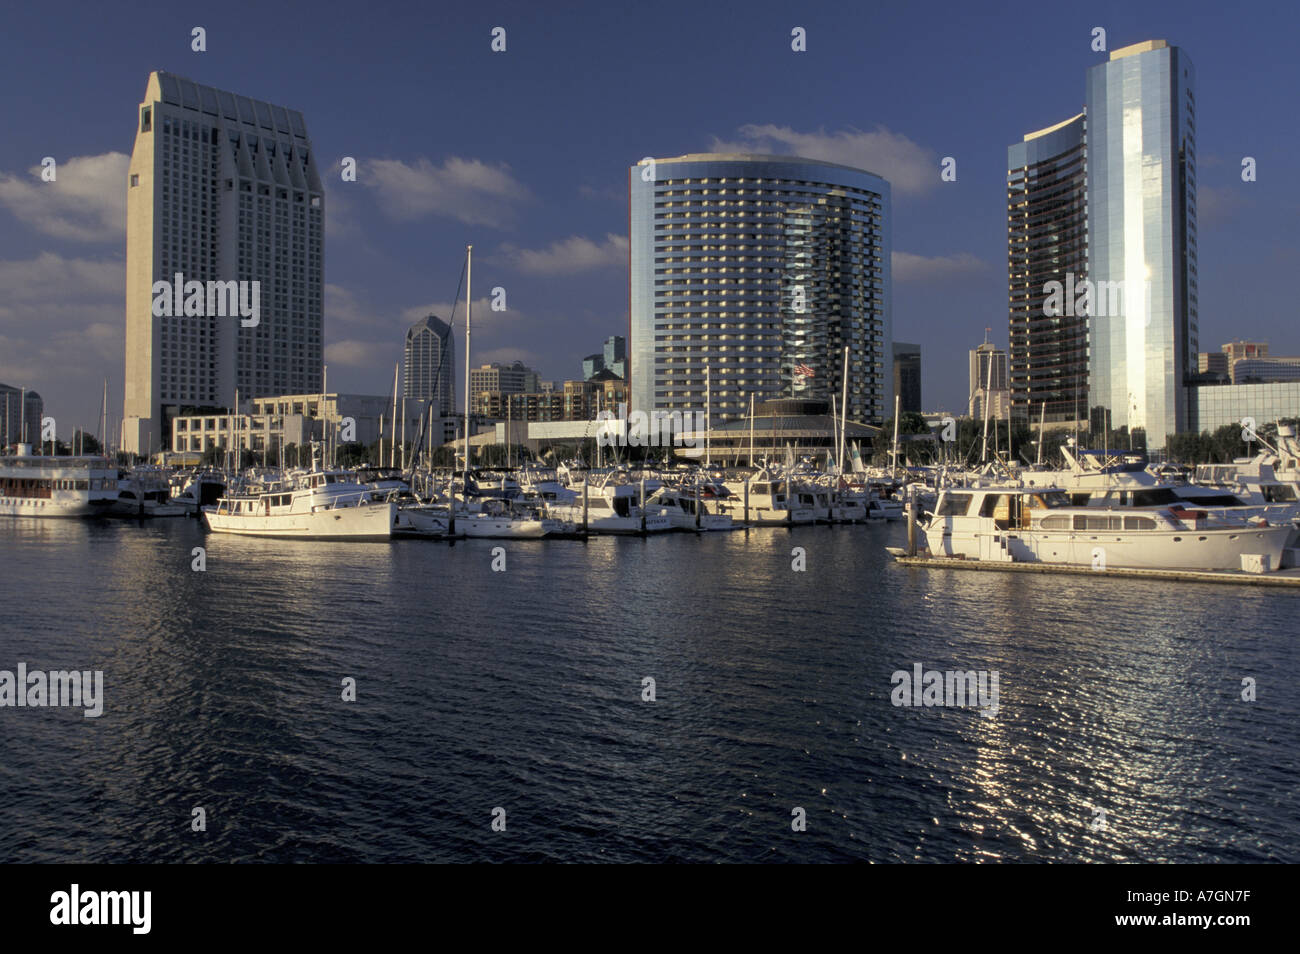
(86, 202)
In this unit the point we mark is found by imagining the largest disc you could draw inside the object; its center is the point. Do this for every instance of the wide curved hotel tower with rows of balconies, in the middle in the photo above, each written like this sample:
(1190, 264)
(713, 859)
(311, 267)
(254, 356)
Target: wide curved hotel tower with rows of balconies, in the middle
(760, 270)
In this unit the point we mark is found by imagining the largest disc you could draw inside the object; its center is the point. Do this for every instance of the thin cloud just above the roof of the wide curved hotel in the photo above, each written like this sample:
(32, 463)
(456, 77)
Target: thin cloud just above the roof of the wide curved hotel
(909, 168)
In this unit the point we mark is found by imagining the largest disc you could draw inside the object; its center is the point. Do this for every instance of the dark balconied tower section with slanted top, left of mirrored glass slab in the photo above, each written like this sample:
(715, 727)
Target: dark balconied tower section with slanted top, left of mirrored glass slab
(1047, 241)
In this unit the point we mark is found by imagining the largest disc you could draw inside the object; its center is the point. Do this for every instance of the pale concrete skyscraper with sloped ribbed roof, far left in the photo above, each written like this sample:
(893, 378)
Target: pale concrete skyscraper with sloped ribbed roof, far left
(220, 189)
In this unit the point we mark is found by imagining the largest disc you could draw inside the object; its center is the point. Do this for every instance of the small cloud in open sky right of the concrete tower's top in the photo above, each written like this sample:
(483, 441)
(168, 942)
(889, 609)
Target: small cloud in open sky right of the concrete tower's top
(467, 190)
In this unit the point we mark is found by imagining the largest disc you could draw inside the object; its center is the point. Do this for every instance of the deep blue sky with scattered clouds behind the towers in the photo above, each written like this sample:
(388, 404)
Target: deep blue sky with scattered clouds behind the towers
(525, 154)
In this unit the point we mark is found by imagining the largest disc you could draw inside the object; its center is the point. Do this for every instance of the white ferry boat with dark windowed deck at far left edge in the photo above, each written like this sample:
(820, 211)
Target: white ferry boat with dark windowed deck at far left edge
(51, 487)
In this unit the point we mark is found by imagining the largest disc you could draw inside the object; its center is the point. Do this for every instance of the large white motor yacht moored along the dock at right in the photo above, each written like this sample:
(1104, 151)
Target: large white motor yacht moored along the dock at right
(1020, 526)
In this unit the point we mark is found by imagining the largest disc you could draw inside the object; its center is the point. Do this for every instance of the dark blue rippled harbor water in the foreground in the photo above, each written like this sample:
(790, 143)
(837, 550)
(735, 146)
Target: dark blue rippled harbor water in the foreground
(522, 690)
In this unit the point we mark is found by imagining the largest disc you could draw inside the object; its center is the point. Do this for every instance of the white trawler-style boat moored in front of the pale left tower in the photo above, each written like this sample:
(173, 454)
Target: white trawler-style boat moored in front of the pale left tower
(319, 505)
